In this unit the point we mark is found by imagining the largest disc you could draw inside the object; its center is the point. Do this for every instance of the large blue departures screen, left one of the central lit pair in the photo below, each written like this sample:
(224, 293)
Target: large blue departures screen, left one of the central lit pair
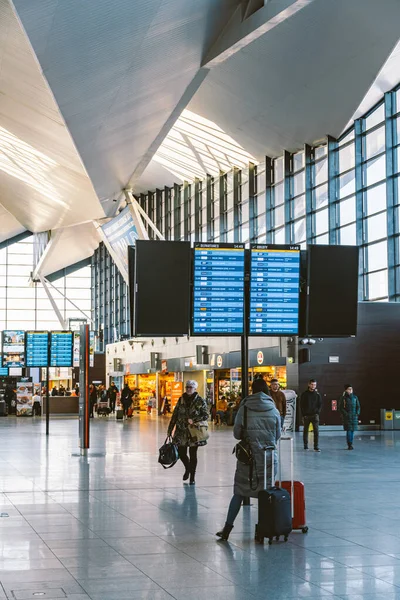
(218, 297)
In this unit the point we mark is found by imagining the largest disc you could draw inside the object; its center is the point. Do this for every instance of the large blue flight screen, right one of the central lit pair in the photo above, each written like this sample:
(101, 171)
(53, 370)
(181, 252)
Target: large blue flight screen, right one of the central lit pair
(274, 289)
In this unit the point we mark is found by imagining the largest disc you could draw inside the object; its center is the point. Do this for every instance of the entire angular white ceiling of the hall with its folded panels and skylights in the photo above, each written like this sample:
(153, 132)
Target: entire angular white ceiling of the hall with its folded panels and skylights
(93, 96)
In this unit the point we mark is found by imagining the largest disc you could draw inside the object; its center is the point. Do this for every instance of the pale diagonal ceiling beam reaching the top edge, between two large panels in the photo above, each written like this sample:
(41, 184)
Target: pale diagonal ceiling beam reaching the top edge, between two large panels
(240, 33)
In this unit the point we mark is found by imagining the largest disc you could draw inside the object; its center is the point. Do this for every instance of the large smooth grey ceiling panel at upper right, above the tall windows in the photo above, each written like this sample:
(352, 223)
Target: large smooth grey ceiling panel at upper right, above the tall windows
(304, 78)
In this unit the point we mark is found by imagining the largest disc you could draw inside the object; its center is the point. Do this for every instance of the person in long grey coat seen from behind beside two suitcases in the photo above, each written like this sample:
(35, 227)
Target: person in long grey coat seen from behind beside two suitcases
(263, 429)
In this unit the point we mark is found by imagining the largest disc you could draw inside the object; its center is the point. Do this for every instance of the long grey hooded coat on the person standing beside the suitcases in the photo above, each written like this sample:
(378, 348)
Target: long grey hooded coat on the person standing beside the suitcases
(263, 429)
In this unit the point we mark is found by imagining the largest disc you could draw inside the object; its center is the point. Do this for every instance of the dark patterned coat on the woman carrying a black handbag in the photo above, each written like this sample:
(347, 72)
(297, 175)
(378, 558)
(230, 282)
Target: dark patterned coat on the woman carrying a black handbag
(188, 407)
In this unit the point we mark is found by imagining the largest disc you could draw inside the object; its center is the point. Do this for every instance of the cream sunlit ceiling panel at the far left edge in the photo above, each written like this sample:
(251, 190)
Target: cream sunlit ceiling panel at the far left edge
(43, 182)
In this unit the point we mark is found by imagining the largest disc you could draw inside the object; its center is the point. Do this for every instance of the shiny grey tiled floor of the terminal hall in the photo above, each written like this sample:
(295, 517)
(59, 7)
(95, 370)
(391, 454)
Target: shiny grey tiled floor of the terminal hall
(116, 526)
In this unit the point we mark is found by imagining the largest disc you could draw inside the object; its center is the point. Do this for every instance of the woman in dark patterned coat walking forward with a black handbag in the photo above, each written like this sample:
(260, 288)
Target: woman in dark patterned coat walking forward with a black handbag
(191, 409)
